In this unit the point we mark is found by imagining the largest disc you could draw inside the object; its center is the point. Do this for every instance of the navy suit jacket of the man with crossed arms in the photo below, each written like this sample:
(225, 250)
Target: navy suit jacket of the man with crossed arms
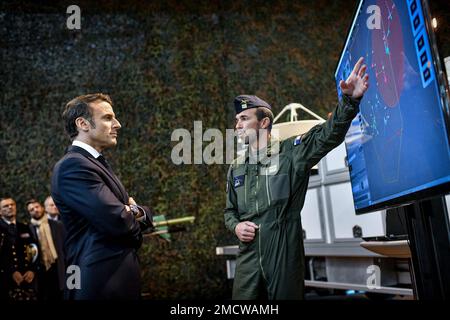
(102, 237)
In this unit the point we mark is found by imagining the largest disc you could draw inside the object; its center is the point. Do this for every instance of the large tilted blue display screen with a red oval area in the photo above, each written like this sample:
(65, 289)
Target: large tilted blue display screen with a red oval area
(397, 146)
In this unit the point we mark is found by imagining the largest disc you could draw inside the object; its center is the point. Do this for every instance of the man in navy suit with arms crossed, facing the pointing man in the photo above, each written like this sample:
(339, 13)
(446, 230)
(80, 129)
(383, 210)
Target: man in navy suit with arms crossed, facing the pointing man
(102, 222)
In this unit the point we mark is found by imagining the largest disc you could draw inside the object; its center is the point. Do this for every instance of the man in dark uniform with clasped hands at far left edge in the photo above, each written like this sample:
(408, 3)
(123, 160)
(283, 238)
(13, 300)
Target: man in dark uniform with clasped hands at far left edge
(18, 255)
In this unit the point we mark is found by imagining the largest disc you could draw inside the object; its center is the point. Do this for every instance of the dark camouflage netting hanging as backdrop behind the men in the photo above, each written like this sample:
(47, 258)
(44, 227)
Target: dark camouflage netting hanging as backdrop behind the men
(165, 64)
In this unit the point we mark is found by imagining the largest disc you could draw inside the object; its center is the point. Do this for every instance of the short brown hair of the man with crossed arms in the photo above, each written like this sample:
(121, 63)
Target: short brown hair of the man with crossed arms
(79, 107)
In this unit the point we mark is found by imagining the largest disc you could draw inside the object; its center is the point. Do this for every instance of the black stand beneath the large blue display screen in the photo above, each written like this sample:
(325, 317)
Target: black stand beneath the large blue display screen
(427, 224)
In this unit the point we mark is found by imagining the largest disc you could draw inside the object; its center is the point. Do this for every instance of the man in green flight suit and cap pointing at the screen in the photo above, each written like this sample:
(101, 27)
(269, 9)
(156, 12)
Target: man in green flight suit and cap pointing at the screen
(266, 189)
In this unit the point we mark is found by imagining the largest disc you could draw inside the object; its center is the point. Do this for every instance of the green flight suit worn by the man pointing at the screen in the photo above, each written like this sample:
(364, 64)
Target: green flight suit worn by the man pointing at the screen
(272, 195)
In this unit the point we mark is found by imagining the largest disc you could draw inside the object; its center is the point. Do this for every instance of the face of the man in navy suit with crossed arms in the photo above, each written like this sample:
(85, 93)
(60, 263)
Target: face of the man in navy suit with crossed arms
(104, 135)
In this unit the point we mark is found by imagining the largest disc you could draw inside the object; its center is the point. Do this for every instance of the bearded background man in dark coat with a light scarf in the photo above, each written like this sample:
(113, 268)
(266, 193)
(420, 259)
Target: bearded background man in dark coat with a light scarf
(50, 235)
